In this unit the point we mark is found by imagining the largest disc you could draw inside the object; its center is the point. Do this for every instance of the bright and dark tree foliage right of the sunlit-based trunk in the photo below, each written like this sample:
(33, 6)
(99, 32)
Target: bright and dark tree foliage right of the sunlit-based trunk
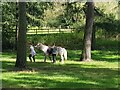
(106, 19)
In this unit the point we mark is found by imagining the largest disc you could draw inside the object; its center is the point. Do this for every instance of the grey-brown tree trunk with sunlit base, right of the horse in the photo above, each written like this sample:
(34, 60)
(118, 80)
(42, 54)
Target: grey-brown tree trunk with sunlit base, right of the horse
(86, 53)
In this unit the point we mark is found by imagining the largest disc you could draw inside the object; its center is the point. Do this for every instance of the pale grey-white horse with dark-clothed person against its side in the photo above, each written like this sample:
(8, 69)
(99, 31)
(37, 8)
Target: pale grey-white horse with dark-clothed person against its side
(53, 51)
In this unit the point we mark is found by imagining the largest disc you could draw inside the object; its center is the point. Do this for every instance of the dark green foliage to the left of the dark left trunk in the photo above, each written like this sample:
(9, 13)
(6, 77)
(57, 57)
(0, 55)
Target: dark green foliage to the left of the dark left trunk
(8, 24)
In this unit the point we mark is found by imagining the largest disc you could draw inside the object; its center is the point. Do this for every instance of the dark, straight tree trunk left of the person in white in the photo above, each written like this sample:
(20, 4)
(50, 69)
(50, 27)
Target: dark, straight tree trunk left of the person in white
(21, 43)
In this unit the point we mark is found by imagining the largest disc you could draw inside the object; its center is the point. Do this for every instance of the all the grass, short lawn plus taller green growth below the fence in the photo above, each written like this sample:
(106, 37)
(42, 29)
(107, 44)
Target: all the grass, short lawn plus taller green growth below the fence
(102, 72)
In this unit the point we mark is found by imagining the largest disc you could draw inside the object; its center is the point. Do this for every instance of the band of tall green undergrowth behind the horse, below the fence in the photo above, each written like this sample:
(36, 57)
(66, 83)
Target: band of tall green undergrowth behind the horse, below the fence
(74, 41)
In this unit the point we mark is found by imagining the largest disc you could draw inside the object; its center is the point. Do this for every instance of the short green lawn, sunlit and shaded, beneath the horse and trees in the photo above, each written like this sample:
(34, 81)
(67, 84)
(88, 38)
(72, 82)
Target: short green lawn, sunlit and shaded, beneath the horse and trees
(102, 72)
